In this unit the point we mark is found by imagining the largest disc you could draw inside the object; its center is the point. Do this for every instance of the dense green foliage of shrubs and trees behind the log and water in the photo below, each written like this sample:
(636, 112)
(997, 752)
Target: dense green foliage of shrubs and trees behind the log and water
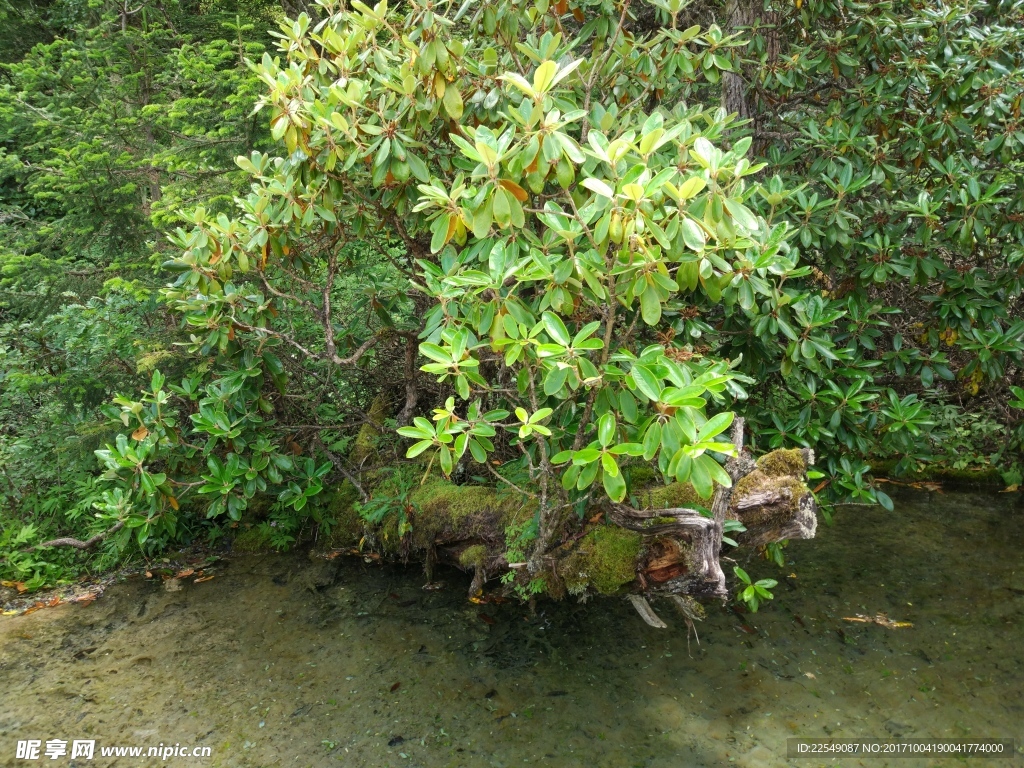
(585, 235)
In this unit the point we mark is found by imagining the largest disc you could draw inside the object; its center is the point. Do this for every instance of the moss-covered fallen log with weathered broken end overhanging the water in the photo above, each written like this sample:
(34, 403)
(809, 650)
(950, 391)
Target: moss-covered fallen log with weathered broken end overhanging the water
(663, 547)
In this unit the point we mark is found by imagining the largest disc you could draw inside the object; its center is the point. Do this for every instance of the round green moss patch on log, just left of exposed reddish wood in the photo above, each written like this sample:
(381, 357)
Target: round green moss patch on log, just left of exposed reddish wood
(605, 560)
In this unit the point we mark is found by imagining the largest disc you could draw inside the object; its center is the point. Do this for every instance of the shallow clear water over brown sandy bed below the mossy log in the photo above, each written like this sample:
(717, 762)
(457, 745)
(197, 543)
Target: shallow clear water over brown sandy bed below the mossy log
(374, 671)
